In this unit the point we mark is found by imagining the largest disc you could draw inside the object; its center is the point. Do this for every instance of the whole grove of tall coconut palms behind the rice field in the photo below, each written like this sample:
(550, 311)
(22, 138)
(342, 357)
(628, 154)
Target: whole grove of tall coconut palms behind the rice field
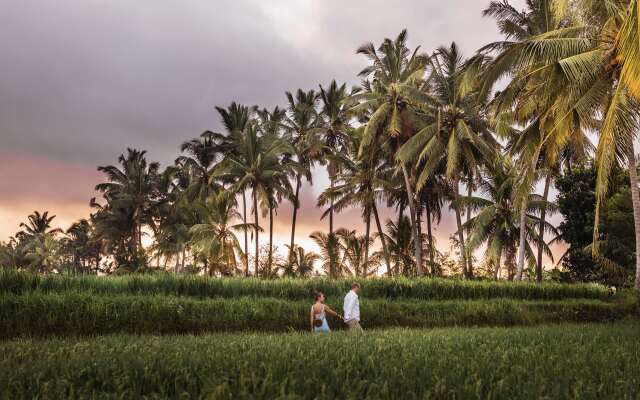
(421, 132)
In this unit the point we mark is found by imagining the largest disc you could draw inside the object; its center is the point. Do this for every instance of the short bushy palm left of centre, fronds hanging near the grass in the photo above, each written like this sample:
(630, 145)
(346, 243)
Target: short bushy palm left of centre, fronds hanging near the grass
(214, 239)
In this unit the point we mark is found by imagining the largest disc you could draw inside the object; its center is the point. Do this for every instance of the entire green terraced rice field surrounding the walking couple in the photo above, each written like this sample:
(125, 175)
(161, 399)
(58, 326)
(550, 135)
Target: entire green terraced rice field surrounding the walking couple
(162, 336)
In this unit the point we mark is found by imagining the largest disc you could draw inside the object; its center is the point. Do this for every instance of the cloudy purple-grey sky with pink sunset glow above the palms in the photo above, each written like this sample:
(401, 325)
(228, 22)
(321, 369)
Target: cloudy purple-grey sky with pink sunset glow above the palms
(82, 80)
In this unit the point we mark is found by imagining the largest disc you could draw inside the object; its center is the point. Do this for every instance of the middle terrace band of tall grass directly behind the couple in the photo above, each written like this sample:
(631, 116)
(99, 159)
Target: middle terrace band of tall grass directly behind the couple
(38, 314)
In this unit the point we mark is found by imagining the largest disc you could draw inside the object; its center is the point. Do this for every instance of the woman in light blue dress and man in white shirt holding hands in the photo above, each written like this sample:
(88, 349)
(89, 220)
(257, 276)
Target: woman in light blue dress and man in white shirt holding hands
(351, 308)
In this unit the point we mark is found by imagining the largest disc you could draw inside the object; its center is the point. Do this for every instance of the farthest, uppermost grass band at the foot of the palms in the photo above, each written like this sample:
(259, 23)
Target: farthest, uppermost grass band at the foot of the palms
(295, 289)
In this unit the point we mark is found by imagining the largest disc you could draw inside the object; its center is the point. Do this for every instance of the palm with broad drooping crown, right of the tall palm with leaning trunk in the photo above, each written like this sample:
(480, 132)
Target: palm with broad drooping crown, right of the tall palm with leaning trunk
(455, 134)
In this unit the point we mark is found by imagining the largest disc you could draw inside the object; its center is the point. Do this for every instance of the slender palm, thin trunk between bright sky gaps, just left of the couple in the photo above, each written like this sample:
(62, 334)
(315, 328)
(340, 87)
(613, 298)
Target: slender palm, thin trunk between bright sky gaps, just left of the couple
(301, 126)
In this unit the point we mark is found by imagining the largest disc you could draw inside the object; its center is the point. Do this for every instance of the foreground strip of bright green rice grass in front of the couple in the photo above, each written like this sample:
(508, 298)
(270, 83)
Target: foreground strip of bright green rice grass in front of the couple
(559, 362)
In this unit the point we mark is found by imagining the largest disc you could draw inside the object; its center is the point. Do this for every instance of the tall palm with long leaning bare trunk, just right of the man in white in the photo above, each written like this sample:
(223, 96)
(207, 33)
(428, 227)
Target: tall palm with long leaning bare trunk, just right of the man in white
(392, 98)
